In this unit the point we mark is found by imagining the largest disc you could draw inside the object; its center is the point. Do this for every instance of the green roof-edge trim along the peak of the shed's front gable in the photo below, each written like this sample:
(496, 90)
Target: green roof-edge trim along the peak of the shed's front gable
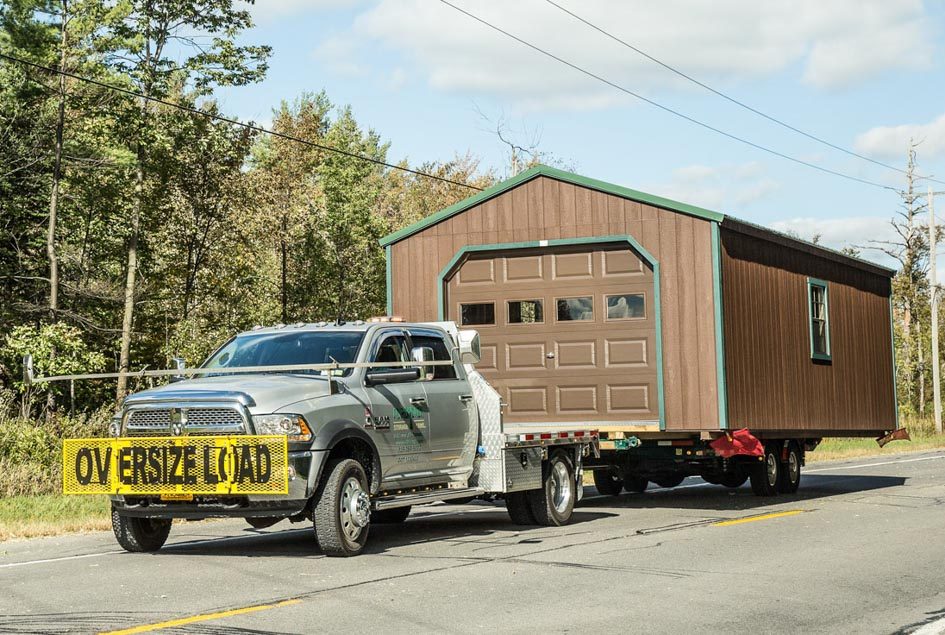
(560, 175)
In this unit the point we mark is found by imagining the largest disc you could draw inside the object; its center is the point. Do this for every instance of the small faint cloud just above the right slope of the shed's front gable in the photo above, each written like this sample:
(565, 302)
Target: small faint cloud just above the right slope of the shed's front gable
(724, 188)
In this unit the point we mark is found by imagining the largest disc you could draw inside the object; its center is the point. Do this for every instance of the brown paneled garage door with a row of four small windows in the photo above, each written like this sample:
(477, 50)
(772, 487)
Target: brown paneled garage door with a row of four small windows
(568, 333)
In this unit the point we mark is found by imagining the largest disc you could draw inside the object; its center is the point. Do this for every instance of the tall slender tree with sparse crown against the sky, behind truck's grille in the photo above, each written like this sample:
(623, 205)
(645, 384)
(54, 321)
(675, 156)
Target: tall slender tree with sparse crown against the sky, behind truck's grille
(150, 27)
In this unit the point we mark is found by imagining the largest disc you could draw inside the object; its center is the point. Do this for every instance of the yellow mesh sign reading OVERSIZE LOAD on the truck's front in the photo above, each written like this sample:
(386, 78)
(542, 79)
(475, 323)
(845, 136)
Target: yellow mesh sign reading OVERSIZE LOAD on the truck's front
(176, 465)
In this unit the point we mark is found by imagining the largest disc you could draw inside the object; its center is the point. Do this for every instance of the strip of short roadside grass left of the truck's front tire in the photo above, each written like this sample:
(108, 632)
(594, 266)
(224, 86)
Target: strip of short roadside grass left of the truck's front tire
(52, 514)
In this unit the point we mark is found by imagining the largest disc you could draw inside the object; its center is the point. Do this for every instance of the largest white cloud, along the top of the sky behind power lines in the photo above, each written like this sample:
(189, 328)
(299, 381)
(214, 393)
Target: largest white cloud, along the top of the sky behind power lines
(837, 43)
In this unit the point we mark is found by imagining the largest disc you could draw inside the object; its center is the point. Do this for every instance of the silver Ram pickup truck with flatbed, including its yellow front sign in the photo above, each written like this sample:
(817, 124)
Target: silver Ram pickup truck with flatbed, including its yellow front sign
(342, 425)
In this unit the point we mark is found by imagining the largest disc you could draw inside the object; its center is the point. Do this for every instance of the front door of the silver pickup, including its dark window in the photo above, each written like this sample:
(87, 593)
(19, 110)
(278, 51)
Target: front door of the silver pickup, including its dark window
(399, 419)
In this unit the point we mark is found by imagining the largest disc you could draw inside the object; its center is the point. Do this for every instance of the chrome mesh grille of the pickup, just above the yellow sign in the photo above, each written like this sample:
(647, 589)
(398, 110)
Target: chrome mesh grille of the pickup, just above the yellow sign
(192, 421)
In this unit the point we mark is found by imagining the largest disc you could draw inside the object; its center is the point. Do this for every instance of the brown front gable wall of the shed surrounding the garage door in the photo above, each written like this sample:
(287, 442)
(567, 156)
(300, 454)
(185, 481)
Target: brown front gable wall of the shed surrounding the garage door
(545, 209)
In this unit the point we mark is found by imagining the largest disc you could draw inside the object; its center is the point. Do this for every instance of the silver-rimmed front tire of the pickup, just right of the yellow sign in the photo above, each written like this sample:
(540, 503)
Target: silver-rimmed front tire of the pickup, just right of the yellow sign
(342, 510)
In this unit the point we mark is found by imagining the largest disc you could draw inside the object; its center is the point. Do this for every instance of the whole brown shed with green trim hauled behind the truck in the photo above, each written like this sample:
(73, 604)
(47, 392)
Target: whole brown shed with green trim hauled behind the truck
(602, 305)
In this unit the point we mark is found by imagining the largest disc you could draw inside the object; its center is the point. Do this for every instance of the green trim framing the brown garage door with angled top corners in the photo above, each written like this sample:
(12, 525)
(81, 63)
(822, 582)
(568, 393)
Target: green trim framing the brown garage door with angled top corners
(464, 252)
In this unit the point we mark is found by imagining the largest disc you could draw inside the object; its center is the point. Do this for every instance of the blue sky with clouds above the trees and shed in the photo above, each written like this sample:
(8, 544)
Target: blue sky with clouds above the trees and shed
(863, 74)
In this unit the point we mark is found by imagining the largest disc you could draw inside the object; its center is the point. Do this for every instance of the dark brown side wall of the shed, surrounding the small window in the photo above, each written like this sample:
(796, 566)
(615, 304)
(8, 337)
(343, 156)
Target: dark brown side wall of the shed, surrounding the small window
(772, 381)
